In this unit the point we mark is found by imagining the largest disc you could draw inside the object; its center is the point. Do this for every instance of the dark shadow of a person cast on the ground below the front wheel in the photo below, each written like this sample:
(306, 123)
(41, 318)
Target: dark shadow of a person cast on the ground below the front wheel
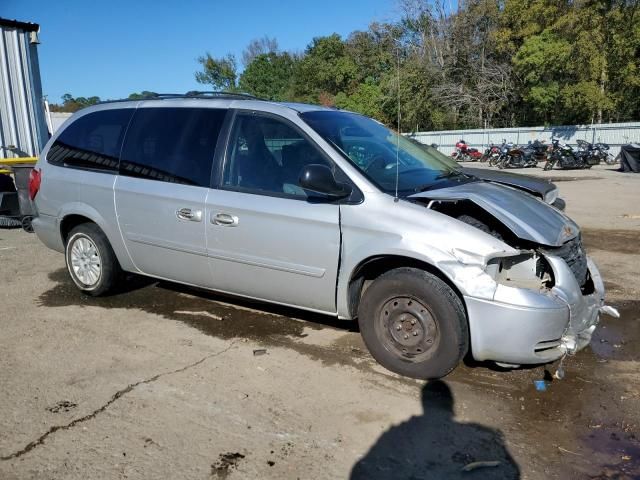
(434, 446)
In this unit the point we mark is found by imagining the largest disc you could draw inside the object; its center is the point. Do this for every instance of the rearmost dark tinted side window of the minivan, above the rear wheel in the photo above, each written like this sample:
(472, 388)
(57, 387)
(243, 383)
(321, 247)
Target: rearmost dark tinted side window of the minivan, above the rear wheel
(93, 141)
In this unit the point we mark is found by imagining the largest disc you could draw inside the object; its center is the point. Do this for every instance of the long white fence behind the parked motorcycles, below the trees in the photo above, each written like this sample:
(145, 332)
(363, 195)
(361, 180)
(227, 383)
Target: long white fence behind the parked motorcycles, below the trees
(614, 134)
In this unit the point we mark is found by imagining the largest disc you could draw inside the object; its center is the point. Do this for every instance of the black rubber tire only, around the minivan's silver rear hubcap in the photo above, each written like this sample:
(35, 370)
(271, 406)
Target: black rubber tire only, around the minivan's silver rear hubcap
(110, 270)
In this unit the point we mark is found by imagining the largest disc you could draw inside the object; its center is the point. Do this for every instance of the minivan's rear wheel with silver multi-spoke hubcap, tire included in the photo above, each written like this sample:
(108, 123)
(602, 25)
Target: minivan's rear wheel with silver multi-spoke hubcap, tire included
(92, 265)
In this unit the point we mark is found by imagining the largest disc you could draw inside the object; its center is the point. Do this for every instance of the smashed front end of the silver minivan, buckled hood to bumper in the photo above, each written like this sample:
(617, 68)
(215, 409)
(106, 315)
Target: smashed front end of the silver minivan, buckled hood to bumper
(537, 304)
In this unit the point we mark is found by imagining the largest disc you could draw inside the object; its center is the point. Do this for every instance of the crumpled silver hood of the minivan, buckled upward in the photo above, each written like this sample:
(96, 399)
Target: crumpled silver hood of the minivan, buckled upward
(526, 216)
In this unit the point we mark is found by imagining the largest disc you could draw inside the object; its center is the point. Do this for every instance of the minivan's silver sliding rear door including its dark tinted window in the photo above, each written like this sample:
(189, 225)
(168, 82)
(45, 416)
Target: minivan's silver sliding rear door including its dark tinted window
(164, 176)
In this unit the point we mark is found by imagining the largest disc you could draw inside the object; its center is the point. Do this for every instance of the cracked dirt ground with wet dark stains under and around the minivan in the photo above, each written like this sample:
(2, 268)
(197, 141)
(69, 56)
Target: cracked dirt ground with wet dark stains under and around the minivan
(163, 381)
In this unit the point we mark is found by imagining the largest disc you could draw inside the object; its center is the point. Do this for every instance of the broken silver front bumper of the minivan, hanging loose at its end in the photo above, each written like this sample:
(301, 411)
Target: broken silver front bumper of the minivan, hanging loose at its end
(522, 326)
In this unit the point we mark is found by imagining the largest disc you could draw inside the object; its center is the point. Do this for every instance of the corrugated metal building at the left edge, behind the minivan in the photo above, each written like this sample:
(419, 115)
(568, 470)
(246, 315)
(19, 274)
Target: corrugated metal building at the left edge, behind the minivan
(23, 128)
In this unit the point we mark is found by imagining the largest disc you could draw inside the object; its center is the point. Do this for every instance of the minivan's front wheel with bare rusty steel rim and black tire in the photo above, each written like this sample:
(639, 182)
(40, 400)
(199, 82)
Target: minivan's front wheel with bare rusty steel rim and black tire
(420, 302)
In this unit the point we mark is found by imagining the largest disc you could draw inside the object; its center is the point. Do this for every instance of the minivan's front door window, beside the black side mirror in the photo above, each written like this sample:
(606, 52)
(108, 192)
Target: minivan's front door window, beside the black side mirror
(266, 155)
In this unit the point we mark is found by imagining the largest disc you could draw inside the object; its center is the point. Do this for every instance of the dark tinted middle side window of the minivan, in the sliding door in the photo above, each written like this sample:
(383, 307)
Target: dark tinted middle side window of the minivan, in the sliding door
(174, 145)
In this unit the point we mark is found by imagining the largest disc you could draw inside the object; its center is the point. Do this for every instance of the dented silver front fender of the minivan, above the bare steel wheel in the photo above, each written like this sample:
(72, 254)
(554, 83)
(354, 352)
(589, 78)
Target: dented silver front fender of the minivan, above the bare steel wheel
(401, 228)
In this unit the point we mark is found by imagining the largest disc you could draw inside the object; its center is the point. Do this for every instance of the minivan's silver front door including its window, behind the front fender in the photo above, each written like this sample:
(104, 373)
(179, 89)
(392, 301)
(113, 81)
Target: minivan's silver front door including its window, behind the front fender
(264, 239)
